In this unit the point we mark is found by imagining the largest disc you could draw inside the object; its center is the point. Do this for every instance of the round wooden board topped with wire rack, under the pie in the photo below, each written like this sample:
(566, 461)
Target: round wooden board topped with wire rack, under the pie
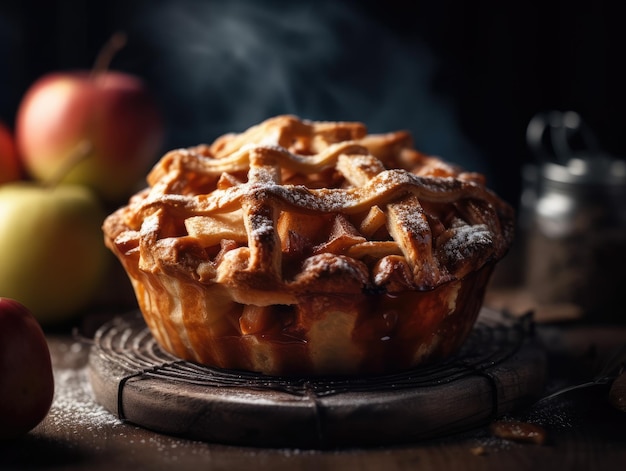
(499, 368)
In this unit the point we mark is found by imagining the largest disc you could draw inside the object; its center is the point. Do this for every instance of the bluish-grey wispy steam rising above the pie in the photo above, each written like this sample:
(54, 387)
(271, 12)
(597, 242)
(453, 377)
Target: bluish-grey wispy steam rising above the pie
(225, 66)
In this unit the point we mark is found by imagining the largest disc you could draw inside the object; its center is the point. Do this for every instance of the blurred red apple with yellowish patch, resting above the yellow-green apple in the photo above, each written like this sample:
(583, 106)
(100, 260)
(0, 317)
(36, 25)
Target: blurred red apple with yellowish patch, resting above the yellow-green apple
(98, 128)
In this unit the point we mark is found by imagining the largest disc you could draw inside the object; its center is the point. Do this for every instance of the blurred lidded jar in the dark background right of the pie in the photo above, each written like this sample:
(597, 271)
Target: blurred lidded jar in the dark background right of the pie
(573, 213)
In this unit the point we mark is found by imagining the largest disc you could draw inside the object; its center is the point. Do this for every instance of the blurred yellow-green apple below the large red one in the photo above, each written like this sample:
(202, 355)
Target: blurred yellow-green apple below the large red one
(53, 259)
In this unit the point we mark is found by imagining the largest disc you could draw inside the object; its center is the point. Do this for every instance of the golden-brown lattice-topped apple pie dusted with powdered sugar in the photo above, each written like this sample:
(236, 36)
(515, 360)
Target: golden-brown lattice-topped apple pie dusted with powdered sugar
(310, 248)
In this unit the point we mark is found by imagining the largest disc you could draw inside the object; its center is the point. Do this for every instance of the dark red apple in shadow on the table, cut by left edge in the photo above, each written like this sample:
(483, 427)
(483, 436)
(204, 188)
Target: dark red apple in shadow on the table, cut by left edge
(26, 379)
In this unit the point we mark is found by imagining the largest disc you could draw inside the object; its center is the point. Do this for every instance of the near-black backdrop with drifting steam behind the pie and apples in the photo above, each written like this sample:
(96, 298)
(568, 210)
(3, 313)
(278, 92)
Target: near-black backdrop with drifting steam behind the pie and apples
(464, 77)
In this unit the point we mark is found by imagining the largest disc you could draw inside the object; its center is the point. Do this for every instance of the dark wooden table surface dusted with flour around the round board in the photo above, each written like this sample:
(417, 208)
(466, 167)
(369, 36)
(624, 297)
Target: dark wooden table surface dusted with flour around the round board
(584, 431)
